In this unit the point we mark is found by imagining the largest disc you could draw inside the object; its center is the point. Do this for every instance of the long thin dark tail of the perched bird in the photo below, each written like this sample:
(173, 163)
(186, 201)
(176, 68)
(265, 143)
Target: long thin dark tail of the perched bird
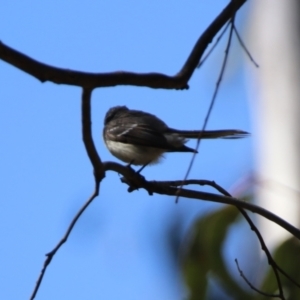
(211, 134)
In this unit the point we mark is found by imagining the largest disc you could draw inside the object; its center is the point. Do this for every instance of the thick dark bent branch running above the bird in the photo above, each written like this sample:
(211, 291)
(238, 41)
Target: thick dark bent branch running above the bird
(44, 72)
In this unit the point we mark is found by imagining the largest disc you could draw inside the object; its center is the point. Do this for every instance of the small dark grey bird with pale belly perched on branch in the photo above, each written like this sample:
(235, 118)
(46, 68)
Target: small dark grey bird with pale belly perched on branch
(140, 138)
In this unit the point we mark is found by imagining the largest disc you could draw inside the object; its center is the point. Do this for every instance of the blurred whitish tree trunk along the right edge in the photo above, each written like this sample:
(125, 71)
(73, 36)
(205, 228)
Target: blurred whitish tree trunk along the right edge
(275, 98)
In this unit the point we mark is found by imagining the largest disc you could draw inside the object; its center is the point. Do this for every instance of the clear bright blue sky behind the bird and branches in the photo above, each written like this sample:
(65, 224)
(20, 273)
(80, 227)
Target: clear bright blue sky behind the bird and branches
(117, 248)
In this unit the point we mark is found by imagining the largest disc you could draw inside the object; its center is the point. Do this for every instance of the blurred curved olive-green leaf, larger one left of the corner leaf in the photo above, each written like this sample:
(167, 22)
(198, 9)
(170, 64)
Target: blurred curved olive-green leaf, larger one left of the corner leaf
(203, 255)
